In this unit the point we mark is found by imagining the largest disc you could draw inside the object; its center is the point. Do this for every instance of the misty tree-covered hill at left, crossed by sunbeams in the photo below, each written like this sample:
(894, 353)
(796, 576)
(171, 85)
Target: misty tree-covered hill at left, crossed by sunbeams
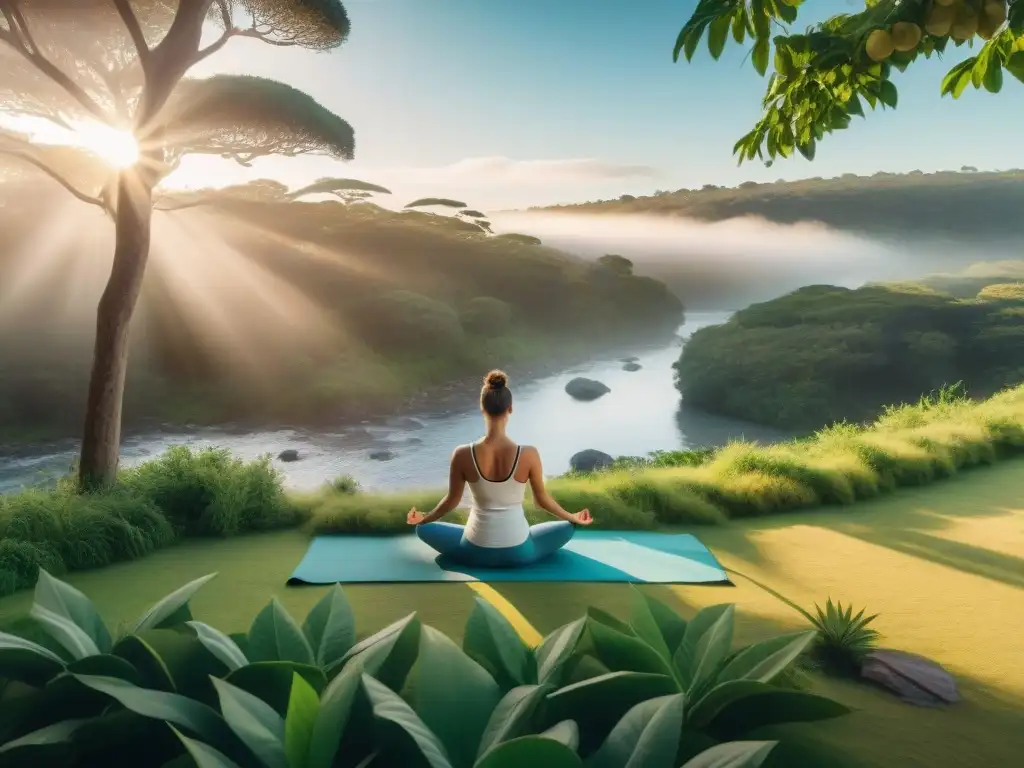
(296, 313)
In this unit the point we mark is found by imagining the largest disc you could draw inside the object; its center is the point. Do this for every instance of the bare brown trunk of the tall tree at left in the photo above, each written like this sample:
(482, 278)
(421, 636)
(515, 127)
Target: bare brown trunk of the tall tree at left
(102, 437)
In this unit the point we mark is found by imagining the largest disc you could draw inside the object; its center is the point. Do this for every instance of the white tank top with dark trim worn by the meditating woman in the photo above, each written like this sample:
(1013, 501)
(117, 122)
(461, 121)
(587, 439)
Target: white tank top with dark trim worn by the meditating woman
(497, 518)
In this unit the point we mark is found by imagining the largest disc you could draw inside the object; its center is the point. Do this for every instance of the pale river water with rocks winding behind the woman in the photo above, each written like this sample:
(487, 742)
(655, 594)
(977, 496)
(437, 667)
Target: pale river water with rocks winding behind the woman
(641, 414)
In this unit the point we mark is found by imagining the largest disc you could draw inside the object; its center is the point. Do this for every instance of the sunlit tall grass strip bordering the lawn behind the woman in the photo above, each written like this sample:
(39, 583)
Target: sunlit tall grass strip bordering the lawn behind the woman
(910, 445)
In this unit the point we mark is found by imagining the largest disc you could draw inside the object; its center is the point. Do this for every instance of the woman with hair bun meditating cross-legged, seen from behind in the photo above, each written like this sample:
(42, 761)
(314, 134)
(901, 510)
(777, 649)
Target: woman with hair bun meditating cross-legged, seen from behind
(497, 471)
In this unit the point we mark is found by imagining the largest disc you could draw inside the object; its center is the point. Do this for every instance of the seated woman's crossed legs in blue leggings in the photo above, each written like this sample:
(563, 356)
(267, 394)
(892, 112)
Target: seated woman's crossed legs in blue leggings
(545, 539)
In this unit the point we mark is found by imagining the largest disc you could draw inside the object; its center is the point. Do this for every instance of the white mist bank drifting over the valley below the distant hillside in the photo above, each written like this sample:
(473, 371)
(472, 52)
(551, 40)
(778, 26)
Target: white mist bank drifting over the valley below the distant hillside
(732, 264)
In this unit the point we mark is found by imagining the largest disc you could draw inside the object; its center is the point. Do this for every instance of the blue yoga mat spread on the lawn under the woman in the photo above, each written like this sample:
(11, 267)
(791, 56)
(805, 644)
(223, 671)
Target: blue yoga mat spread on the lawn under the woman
(638, 558)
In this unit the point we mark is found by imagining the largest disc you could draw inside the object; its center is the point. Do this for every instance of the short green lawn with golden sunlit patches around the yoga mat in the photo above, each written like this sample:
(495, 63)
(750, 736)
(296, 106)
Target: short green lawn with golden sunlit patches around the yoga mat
(944, 566)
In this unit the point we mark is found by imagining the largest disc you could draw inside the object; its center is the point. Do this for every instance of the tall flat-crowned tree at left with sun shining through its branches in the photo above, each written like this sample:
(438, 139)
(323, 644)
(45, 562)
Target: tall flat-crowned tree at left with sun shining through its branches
(121, 66)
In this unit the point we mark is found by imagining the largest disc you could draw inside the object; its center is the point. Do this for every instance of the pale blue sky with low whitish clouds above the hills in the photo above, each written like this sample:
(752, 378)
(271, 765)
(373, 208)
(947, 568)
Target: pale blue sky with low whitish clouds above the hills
(435, 87)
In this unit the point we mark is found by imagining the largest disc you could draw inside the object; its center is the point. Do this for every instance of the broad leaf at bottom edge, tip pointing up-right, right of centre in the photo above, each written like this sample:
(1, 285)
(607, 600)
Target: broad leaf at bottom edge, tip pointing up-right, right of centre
(648, 737)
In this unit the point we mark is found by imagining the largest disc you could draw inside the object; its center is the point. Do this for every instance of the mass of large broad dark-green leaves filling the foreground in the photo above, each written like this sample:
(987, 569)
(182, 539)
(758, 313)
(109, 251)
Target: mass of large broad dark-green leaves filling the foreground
(655, 691)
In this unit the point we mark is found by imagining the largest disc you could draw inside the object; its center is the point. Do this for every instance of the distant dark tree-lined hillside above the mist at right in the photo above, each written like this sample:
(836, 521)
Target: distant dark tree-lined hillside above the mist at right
(965, 205)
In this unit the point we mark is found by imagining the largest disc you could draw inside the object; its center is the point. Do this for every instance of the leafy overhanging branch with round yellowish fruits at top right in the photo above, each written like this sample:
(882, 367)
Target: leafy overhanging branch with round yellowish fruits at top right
(825, 76)
